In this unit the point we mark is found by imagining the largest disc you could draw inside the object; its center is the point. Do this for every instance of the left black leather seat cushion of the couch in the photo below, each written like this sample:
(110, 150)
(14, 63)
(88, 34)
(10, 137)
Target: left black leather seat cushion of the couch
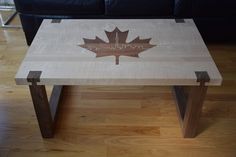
(60, 7)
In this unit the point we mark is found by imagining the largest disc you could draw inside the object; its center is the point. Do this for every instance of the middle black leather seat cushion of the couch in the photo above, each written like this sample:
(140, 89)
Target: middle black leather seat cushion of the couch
(139, 7)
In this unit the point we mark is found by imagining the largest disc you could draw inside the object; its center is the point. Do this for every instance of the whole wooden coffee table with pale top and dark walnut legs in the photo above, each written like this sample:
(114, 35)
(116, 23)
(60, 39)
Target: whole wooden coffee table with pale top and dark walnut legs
(156, 52)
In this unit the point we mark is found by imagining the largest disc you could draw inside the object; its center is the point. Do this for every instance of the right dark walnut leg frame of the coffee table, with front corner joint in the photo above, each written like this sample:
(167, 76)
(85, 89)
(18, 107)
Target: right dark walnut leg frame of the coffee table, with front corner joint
(189, 106)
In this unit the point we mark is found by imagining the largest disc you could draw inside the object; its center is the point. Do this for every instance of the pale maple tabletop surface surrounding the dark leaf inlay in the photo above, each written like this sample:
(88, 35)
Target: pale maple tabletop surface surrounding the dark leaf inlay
(178, 54)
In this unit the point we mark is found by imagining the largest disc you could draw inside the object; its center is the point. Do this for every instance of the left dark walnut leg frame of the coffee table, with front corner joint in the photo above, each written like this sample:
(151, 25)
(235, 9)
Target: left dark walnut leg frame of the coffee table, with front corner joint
(45, 110)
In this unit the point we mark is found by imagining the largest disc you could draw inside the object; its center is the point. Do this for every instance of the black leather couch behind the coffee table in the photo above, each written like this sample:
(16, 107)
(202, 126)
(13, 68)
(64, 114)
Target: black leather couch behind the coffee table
(215, 19)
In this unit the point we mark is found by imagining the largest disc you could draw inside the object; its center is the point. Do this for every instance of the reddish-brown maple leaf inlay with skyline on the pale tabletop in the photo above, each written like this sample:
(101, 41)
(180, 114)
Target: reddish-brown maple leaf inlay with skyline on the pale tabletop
(117, 45)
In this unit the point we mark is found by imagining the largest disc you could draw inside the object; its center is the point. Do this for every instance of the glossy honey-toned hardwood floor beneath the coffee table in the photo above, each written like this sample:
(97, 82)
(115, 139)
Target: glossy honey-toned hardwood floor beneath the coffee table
(98, 121)
